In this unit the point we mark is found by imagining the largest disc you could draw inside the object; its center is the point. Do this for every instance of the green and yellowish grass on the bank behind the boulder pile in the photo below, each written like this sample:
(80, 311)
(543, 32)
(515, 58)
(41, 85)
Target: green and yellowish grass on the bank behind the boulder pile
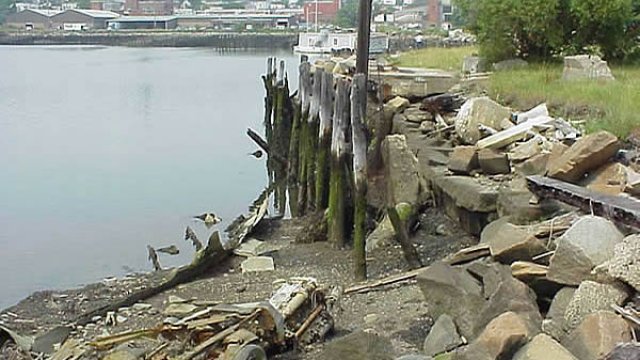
(612, 106)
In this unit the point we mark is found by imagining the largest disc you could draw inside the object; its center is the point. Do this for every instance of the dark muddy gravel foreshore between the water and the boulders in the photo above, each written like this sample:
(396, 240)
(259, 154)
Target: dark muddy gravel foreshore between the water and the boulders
(396, 312)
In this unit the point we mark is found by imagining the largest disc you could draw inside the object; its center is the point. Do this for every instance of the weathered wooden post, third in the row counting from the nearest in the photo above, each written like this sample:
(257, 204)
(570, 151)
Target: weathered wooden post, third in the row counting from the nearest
(326, 126)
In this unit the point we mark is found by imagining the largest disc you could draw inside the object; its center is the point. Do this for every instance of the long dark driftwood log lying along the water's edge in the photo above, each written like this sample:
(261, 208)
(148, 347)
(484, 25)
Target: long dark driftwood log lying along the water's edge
(207, 259)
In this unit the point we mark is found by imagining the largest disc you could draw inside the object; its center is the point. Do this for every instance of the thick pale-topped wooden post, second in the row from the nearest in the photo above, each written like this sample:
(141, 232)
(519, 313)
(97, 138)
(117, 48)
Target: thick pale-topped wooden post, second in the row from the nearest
(337, 177)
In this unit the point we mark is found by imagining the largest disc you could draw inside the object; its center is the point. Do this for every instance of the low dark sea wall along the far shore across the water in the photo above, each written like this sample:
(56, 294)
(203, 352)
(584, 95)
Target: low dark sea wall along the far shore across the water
(155, 39)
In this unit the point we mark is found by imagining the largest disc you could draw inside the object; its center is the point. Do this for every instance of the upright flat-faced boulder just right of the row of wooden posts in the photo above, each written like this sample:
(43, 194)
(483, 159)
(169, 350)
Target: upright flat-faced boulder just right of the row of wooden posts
(401, 167)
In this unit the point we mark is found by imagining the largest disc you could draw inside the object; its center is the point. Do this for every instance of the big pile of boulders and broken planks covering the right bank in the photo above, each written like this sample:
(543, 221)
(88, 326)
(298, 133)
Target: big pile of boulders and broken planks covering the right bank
(547, 280)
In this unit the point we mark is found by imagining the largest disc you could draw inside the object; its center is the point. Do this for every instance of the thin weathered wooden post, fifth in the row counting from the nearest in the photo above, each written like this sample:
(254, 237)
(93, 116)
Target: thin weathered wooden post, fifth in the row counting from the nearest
(305, 101)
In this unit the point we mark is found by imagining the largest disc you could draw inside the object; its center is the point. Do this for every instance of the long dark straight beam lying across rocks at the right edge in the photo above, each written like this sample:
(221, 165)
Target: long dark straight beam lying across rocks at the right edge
(615, 208)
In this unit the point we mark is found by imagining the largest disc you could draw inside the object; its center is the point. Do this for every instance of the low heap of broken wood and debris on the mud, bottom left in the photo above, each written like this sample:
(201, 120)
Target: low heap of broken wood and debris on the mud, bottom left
(298, 313)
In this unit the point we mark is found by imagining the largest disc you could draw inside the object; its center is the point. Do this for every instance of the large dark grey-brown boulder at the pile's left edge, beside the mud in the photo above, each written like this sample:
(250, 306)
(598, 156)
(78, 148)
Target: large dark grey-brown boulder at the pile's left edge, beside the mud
(440, 283)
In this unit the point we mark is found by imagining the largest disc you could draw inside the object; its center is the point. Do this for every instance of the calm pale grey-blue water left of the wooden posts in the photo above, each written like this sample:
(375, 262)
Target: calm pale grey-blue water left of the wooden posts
(105, 150)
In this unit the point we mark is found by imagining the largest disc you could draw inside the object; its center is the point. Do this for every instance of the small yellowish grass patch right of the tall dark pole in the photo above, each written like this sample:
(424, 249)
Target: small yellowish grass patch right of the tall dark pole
(437, 58)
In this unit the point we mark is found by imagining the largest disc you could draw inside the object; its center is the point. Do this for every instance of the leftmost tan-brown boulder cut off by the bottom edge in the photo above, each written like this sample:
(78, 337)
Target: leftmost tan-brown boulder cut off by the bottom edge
(501, 339)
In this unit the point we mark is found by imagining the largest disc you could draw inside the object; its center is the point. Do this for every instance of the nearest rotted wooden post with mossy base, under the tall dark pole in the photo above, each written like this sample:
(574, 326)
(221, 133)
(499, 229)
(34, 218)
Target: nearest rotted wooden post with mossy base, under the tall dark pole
(359, 141)
